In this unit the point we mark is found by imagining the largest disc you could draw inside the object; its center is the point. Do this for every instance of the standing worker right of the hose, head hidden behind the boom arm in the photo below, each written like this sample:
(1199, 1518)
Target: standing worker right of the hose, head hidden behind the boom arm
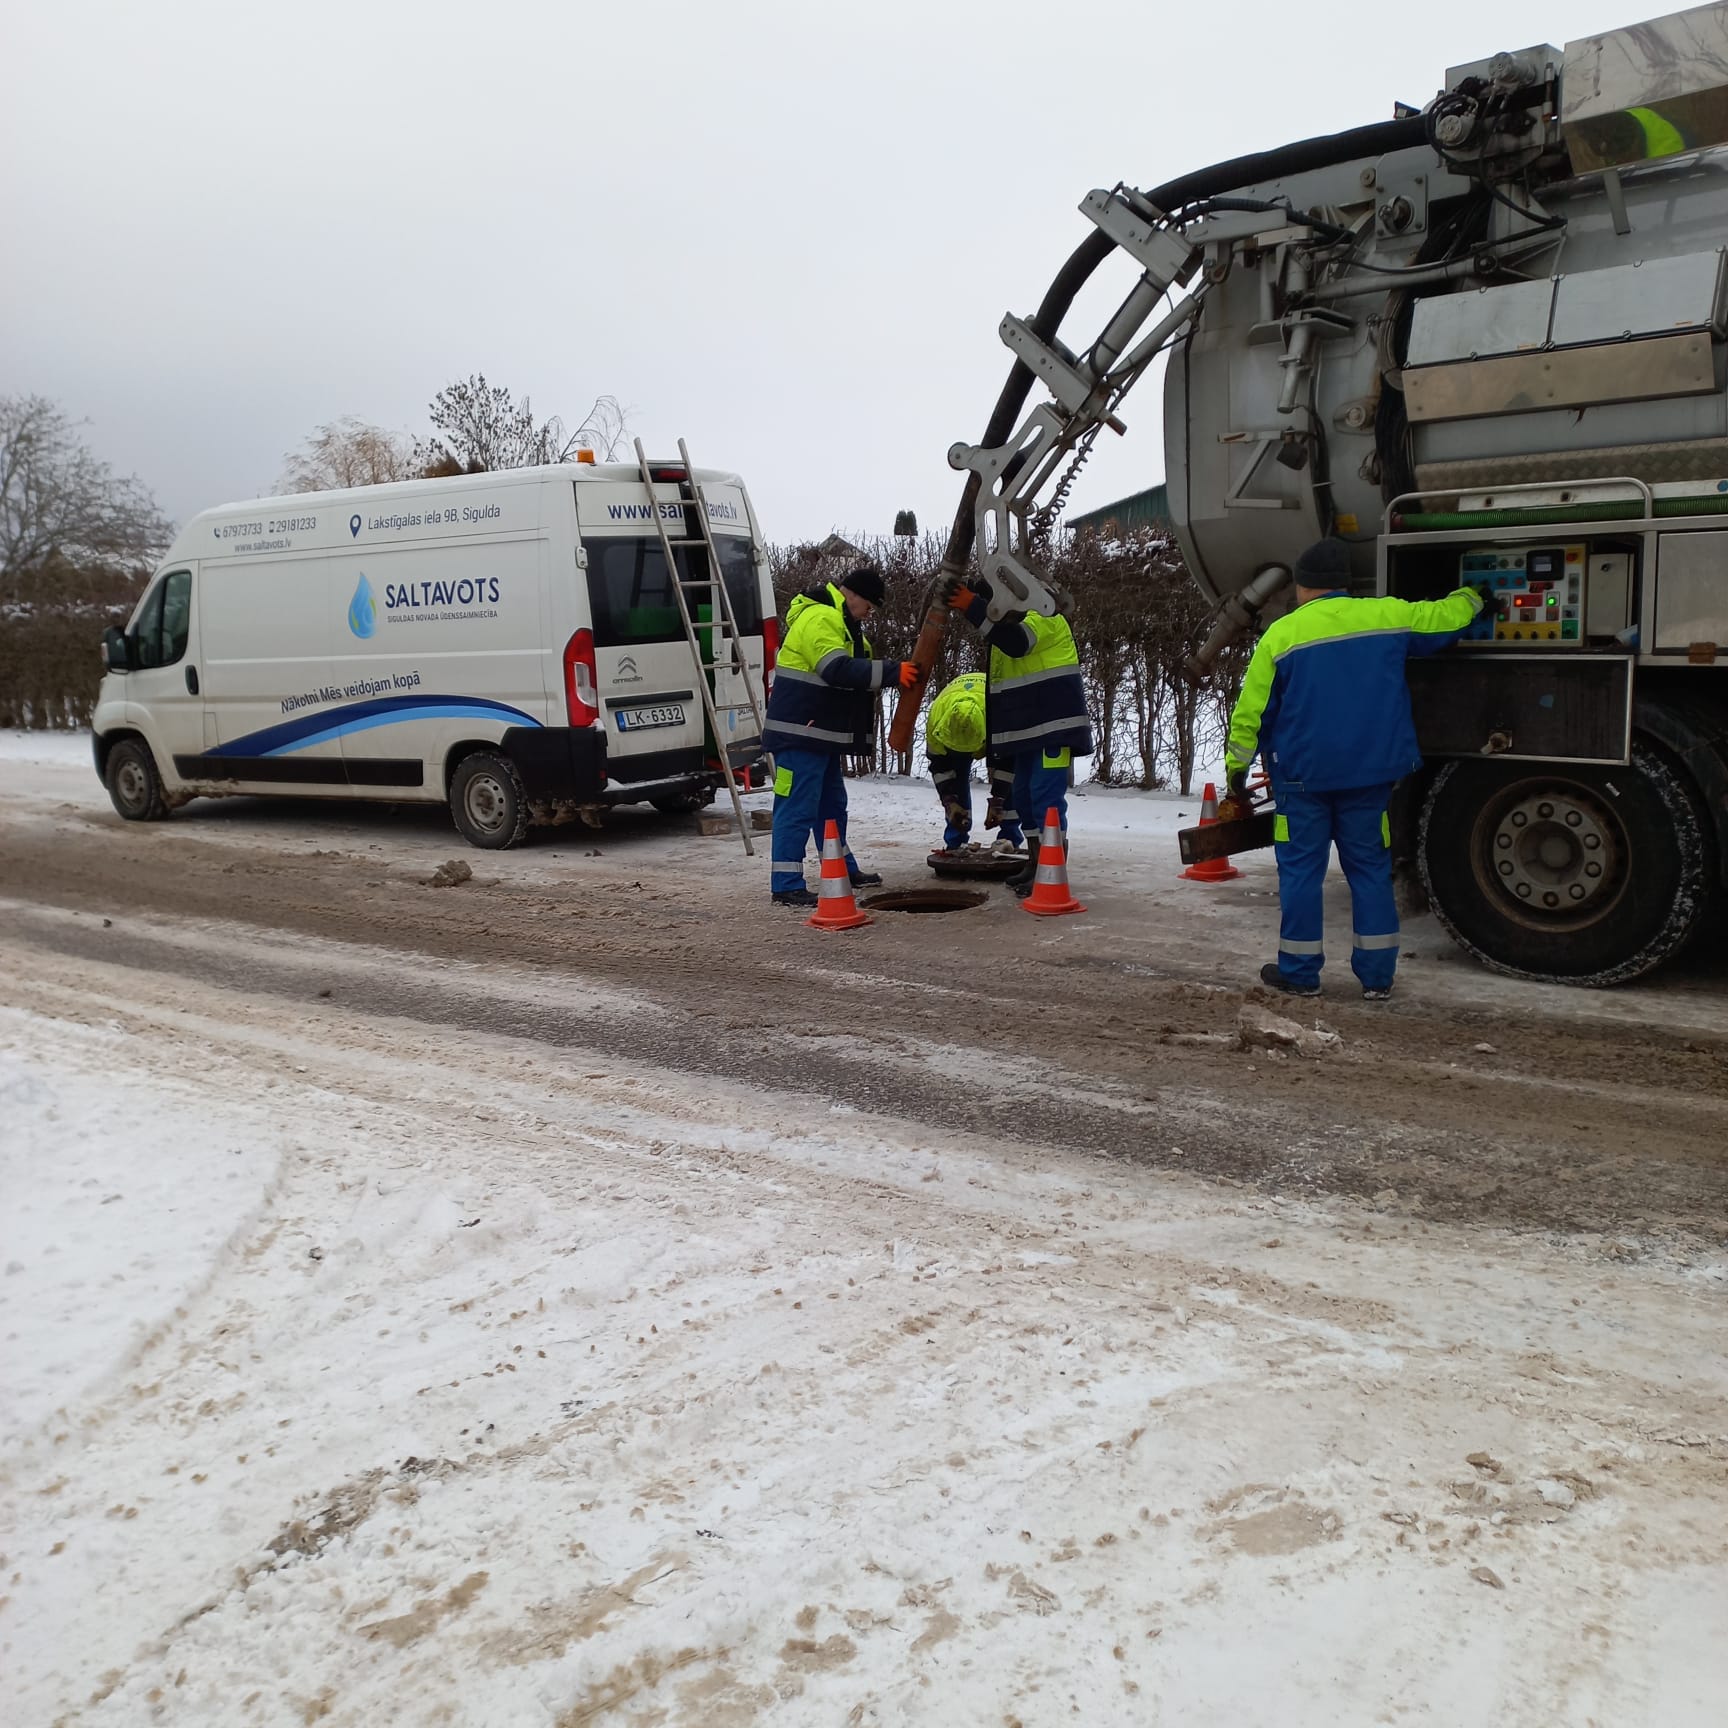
(1036, 708)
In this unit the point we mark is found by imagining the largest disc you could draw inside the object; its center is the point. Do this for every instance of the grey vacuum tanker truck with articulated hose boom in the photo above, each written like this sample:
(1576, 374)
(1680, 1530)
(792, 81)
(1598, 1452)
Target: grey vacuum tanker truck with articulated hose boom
(1485, 341)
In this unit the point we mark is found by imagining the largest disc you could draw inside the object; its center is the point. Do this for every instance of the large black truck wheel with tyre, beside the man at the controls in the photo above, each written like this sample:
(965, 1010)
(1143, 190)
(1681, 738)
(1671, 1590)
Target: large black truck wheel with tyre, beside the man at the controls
(1565, 872)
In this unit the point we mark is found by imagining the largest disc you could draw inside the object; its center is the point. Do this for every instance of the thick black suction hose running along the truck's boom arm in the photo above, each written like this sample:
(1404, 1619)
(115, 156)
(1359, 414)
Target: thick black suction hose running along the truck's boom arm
(1207, 182)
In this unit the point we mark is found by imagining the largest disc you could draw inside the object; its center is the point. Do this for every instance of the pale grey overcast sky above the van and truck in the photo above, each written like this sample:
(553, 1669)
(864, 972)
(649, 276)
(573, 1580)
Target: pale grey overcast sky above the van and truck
(784, 232)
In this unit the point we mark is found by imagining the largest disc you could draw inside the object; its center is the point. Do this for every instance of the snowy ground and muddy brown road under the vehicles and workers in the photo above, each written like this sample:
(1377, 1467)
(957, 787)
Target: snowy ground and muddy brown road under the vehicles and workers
(580, 1293)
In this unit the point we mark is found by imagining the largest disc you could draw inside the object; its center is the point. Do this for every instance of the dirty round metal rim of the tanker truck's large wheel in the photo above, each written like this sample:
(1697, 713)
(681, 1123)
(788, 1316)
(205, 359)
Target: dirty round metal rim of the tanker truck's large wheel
(1554, 854)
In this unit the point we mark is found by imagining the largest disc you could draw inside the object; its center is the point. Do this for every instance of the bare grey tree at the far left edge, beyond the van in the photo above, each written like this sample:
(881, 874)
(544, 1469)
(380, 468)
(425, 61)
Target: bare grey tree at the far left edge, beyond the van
(60, 502)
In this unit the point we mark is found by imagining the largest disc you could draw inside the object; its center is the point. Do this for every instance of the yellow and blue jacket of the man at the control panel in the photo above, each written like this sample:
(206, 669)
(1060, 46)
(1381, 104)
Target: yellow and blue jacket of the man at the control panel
(1326, 699)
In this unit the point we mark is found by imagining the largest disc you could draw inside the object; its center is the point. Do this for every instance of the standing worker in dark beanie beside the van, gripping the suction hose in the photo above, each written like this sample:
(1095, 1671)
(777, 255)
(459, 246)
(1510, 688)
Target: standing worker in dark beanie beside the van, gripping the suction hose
(823, 709)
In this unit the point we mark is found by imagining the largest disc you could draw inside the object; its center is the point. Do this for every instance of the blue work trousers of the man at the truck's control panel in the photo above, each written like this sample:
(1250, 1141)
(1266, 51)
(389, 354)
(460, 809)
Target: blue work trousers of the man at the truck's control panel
(1309, 825)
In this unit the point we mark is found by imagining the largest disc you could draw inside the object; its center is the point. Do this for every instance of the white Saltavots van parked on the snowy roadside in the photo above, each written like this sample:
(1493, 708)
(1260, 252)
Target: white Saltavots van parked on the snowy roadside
(507, 644)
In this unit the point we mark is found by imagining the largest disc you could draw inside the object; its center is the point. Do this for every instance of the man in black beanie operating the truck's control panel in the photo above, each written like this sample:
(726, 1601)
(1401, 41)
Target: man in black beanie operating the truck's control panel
(1328, 709)
